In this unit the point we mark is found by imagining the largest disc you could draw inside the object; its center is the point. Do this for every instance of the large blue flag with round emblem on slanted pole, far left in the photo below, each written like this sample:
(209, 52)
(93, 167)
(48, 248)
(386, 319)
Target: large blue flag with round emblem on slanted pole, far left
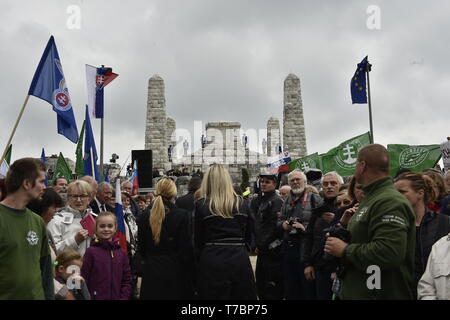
(49, 84)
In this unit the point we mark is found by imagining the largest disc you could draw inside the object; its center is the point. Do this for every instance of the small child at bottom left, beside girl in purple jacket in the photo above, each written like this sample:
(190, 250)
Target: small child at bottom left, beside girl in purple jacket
(69, 285)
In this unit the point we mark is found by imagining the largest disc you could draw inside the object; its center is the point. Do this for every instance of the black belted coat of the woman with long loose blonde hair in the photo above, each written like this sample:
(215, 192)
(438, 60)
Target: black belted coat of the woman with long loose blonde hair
(224, 268)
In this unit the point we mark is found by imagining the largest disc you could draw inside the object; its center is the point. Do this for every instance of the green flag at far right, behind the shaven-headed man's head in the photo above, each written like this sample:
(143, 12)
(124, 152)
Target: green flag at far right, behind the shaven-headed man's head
(415, 158)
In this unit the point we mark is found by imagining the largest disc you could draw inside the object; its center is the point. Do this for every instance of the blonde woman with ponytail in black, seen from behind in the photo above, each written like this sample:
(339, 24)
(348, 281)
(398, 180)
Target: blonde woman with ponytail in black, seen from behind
(164, 243)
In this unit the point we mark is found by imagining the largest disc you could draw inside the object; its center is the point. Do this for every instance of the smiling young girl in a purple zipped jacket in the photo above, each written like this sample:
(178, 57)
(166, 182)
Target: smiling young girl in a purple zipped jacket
(105, 267)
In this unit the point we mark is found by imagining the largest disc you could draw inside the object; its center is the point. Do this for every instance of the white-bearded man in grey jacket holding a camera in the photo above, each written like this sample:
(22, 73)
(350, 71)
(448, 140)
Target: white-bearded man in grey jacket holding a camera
(294, 218)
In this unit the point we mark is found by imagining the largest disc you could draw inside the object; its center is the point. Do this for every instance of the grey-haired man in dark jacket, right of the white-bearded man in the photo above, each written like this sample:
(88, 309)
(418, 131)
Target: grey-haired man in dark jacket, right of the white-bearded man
(318, 268)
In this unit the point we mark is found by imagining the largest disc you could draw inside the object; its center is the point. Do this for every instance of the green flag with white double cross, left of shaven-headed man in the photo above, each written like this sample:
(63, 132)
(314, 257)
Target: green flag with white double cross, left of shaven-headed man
(342, 159)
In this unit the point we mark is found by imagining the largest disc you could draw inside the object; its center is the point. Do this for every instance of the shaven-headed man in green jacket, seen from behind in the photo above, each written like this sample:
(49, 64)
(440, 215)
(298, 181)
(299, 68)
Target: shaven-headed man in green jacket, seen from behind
(379, 261)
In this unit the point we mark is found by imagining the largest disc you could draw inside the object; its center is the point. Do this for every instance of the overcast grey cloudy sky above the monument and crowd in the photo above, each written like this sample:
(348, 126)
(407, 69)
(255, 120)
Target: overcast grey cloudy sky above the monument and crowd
(227, 60)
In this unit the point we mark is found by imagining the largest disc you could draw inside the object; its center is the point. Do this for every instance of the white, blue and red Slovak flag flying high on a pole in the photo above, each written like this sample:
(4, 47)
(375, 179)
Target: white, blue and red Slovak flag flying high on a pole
(97, 79)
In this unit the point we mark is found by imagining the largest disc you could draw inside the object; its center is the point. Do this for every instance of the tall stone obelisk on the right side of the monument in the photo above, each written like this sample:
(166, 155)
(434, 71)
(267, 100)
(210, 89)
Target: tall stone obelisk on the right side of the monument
(294, 138)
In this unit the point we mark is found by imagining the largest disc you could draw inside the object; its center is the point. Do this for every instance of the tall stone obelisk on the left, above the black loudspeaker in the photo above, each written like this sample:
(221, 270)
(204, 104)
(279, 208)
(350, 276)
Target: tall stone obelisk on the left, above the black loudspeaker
(155, 130)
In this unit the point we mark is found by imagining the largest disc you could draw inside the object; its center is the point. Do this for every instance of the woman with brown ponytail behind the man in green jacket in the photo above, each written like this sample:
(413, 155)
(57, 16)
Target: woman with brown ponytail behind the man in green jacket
(419, 190)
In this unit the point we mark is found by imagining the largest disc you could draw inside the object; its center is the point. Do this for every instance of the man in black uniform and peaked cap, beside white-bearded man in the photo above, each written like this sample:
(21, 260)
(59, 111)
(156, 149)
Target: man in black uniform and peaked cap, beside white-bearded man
(265, 210)
